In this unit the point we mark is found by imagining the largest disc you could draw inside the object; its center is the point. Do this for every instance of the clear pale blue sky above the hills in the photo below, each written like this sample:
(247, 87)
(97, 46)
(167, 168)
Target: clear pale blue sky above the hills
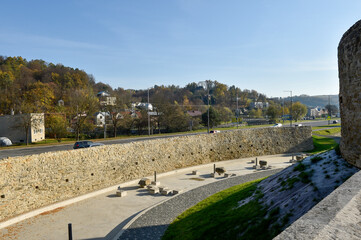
(269, 46)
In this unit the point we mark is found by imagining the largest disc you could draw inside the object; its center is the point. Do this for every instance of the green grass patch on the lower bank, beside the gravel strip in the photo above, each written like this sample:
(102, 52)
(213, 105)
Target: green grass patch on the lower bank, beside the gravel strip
(219, 217)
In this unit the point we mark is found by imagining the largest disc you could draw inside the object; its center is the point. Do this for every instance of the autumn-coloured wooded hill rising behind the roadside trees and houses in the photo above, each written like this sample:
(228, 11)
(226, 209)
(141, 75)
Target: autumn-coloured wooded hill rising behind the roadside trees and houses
(37, 86)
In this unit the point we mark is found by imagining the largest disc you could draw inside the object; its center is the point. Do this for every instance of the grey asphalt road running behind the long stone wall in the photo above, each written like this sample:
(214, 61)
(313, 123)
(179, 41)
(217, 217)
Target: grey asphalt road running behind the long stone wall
(4, 153)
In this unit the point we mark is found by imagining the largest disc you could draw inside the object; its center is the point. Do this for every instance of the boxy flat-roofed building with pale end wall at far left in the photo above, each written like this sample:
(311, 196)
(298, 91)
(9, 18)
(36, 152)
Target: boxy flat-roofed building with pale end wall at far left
(12, 127)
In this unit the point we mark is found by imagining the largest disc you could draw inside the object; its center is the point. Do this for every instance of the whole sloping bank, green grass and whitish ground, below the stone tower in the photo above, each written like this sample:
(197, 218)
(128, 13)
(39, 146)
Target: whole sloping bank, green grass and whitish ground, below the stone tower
(262, 209)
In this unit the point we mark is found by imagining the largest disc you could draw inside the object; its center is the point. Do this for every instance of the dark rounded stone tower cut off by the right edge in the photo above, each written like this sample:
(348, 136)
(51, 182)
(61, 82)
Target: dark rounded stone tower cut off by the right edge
(349, 67)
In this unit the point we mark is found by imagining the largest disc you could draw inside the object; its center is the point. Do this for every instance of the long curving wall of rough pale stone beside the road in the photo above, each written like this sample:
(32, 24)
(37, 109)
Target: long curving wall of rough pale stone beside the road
(30, 182)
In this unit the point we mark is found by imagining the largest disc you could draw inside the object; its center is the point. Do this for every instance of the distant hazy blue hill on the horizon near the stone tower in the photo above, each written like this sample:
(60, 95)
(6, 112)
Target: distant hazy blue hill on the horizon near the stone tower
(318, 100)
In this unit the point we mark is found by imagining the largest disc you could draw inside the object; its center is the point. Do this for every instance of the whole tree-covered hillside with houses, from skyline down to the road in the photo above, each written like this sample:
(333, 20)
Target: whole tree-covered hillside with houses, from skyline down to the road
(70, 100)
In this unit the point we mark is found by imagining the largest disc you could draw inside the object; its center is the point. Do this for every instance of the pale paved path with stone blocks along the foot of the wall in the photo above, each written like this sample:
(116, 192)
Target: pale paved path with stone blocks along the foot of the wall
(104, 216)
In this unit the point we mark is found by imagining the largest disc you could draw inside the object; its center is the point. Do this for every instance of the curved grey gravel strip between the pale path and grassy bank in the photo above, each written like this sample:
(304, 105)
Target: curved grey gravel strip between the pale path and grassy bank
(154, 222)
